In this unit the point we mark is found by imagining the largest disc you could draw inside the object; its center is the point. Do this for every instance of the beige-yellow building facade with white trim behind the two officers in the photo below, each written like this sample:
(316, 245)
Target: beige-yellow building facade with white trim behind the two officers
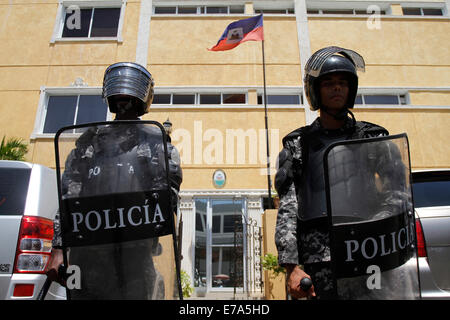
(54, 54)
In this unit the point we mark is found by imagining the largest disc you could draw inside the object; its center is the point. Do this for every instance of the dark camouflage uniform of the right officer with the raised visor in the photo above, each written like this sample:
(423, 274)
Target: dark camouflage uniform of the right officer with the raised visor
(307, 242)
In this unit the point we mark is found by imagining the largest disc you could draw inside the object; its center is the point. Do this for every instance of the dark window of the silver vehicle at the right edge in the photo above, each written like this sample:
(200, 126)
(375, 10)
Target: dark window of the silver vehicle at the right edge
(431, 190)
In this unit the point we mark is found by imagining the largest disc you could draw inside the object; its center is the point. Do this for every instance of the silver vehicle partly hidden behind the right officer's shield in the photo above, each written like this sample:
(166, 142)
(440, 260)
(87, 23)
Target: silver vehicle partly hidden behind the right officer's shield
(431, 192)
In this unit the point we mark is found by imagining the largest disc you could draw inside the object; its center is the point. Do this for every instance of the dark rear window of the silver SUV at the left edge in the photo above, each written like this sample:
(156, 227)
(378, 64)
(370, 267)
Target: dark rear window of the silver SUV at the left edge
(13, 190)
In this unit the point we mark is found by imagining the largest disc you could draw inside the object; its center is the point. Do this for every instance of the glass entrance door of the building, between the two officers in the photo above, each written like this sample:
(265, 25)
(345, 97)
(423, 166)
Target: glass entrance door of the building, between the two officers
(219, 243)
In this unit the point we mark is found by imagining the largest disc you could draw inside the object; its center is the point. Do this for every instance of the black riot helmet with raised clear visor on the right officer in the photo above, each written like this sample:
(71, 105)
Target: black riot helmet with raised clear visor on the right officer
(330, 60)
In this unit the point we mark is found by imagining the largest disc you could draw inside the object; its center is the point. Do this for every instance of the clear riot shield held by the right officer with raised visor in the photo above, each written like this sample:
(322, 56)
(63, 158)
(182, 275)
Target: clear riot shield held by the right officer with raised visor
(371, 215)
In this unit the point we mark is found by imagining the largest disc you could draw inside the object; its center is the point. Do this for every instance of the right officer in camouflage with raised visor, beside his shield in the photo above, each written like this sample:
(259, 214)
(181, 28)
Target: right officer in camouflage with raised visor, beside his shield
(301, 235)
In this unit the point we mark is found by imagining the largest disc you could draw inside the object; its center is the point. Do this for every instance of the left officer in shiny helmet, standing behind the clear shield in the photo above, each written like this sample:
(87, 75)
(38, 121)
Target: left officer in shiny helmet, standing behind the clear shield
(128, 91)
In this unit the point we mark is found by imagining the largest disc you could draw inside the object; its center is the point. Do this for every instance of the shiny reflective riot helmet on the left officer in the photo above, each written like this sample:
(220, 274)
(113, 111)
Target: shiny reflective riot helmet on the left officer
(128, 79)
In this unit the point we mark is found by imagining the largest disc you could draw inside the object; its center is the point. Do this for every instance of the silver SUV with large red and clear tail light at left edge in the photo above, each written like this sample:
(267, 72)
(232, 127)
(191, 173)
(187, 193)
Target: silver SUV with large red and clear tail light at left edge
(28, 204)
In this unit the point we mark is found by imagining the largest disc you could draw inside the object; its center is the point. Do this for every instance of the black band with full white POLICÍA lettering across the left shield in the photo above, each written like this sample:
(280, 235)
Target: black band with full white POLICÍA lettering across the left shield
(116, 217)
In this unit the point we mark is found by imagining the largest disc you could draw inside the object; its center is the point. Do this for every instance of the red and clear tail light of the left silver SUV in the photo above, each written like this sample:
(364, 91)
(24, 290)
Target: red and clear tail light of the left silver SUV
(34, 246)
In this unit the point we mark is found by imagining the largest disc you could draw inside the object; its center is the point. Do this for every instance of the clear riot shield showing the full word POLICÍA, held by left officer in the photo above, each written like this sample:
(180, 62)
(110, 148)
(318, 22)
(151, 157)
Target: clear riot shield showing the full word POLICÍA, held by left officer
(116, 211)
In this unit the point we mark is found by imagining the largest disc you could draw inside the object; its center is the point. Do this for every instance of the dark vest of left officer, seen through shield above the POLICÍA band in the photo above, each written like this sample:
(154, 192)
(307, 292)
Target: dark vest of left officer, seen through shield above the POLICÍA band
(135, 161)
